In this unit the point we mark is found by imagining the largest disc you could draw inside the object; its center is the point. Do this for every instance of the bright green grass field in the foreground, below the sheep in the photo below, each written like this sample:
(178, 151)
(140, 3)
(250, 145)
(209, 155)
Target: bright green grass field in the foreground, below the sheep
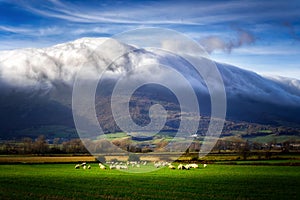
(62, 181)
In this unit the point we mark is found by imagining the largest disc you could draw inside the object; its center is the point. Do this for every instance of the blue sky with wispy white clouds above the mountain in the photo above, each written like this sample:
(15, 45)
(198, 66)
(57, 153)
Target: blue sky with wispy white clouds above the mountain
(261, 36)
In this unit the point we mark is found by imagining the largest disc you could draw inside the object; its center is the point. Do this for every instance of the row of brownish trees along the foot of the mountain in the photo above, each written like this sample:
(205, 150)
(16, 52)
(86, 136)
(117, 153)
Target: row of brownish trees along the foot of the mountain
(41, 146)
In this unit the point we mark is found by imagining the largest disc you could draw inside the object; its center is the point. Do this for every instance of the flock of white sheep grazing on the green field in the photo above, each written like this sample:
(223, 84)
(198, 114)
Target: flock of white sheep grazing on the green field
(138, 164)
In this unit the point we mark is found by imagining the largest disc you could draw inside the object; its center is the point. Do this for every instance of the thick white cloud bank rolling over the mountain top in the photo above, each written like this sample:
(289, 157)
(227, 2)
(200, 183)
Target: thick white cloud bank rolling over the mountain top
(45, 68)
